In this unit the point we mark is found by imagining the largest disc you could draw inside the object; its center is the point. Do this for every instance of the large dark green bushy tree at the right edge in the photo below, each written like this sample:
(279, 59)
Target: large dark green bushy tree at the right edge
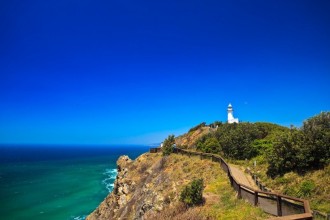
(303, 149)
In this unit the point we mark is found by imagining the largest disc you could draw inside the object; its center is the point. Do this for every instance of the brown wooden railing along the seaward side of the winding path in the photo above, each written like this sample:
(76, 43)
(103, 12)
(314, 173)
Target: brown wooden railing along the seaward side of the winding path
(272, 203)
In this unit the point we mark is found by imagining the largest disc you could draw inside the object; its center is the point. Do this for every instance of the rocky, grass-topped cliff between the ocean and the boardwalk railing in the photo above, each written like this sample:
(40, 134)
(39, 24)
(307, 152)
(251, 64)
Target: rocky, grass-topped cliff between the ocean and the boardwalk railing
(150, 186)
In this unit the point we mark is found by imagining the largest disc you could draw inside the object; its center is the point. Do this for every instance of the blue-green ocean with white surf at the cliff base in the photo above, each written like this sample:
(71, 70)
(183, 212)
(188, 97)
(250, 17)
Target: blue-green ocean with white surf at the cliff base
(57, 182)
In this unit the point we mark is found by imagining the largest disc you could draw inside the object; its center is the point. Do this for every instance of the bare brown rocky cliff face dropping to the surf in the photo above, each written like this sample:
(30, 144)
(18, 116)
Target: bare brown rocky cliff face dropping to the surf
(137, 189)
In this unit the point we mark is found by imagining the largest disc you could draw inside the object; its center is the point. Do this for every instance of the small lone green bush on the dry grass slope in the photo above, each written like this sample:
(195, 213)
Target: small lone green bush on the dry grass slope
(192, 194)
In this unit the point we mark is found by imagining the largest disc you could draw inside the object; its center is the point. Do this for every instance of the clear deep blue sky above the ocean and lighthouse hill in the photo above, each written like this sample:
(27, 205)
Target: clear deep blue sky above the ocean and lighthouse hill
(132, 72)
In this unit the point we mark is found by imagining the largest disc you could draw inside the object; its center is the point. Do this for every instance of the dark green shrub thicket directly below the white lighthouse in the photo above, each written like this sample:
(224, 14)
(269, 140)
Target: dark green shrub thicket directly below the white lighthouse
(240, 141)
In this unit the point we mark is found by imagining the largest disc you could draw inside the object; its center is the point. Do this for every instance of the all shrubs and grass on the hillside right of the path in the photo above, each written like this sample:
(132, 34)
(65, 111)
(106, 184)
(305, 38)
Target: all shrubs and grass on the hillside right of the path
(294, 161)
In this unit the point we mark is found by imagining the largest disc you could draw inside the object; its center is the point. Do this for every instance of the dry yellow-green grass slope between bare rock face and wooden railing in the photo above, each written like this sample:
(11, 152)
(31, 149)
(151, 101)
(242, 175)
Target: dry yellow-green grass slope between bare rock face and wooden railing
(220, 199)
